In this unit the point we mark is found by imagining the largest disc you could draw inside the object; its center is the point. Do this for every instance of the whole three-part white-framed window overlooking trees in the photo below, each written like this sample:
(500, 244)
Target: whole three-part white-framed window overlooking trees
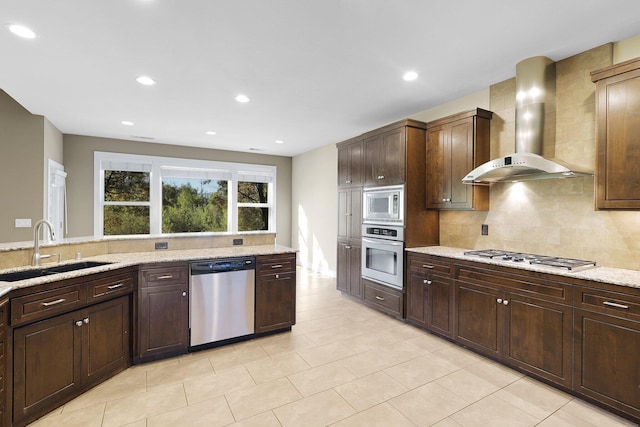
(155, 195)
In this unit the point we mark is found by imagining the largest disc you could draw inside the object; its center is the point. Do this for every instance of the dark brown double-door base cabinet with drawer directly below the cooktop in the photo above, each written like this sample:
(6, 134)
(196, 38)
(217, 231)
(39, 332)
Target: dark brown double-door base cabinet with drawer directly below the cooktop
(521, 318)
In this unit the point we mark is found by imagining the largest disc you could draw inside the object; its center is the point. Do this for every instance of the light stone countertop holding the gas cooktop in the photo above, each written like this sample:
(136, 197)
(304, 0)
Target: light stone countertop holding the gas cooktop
(614, 276)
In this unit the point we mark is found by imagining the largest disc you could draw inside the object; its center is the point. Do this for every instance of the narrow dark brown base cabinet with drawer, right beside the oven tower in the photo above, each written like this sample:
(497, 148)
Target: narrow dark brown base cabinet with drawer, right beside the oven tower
(430, 293)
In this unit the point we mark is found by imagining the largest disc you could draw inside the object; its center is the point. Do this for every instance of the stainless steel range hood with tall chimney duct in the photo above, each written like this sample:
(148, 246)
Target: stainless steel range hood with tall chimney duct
(535, 105)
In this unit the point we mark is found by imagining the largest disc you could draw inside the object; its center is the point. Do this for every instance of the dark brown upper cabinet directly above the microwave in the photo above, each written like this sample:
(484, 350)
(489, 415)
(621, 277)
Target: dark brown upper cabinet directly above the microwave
(386, 155)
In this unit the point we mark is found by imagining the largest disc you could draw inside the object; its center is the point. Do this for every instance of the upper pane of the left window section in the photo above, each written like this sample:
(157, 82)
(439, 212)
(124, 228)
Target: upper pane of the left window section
(125, 186)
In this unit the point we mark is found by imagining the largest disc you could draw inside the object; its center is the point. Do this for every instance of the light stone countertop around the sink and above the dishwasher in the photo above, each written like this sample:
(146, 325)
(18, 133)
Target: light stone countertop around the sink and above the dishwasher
(128, 259)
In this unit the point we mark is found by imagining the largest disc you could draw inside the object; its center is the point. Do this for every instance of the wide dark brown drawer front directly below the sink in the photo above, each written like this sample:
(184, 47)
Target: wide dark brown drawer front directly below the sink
(43, 304)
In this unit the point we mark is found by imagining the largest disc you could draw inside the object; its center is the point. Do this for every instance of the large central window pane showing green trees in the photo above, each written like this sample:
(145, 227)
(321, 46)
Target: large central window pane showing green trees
(194, 205)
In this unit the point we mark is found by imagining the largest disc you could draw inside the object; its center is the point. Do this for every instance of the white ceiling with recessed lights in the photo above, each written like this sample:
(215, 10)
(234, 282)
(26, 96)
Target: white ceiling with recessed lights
(317, 71)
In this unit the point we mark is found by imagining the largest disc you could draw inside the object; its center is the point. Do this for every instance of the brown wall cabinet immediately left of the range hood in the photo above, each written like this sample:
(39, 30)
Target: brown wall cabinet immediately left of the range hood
(456, 145)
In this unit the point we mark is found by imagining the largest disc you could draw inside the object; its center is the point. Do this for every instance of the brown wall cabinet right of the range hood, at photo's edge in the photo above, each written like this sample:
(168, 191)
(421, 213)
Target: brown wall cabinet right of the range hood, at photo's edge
(618, 135)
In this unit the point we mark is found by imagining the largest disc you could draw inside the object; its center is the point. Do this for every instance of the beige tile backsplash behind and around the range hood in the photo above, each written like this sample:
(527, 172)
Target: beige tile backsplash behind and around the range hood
(552, 217)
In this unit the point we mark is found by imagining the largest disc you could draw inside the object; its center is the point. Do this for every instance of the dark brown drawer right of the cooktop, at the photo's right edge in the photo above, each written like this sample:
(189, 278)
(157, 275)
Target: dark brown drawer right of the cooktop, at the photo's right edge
(608, 302)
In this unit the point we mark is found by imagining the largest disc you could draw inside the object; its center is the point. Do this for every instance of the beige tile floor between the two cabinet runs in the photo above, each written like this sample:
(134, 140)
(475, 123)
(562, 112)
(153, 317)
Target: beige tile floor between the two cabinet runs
(342, 365)
